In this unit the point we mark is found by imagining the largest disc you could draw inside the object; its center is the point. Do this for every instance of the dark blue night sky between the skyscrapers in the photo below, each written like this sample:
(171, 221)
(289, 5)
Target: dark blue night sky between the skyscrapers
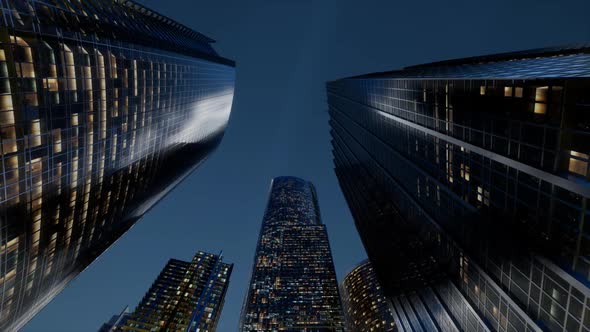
(285, 52)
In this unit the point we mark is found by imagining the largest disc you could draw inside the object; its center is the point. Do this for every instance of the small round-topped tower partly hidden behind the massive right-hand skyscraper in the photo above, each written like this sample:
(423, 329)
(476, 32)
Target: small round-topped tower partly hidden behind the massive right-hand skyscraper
(365, 306)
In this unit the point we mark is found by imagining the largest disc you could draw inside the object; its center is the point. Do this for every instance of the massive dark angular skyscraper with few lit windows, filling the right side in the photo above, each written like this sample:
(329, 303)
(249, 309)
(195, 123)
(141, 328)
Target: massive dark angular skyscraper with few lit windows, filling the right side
(468, 182)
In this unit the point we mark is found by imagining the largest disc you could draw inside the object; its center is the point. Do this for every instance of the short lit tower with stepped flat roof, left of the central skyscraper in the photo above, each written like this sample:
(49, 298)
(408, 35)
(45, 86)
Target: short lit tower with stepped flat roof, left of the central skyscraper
(186, 296)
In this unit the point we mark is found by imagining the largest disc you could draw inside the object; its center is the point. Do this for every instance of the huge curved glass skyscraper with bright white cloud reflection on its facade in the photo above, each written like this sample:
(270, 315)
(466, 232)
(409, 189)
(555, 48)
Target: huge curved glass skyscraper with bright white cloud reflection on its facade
(105, 106)
